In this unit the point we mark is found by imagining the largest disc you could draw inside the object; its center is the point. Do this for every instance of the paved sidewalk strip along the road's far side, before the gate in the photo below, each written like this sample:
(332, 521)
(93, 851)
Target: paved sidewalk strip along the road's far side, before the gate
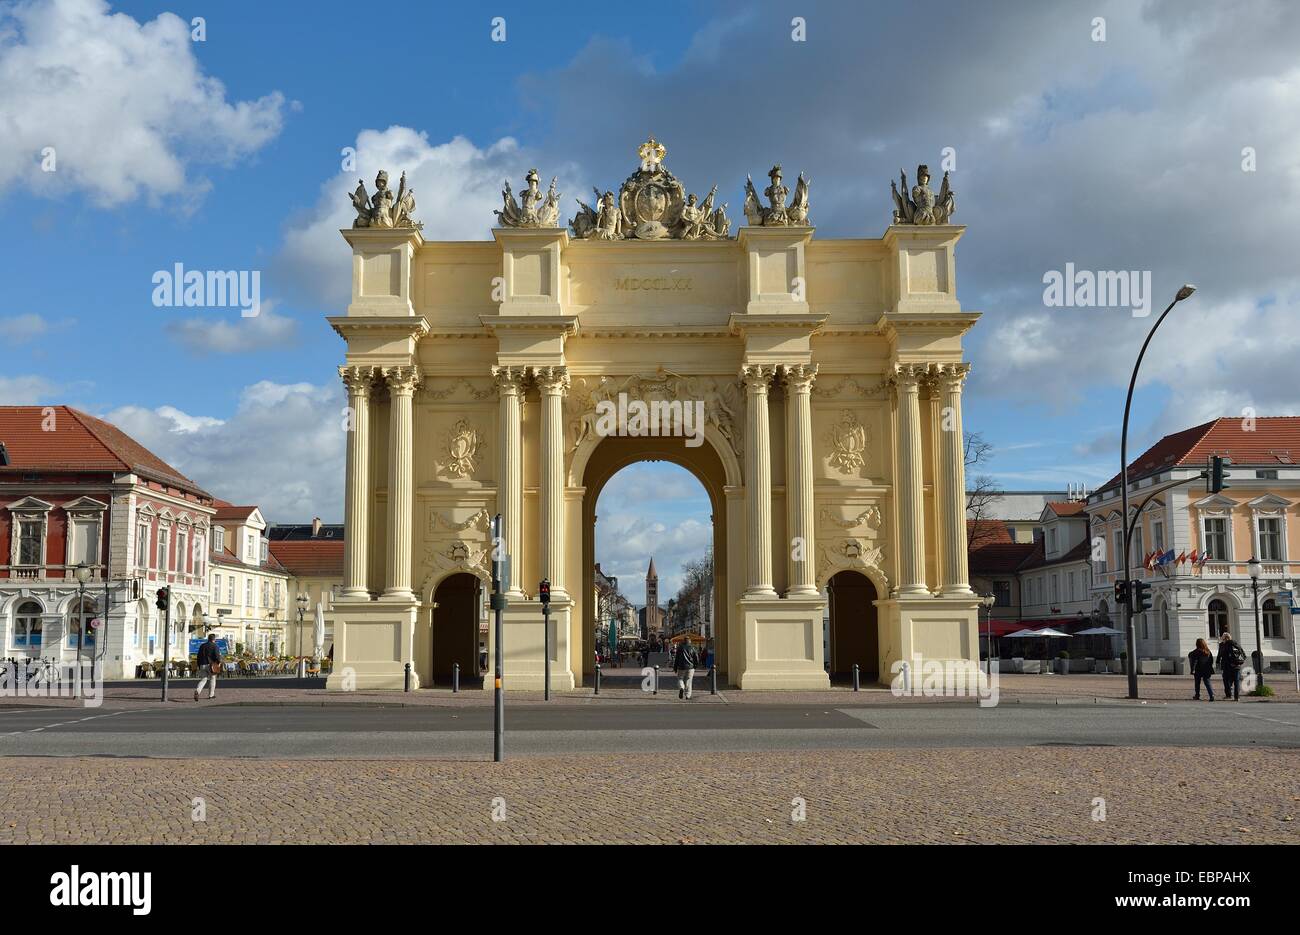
(1013, 689)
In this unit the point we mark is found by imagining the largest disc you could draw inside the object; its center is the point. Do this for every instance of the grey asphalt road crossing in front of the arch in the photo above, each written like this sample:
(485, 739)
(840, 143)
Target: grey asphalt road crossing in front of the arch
(356, 731)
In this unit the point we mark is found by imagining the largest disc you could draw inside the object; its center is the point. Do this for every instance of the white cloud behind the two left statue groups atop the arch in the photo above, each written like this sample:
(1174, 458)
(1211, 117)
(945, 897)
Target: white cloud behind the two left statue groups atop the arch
(457, 188)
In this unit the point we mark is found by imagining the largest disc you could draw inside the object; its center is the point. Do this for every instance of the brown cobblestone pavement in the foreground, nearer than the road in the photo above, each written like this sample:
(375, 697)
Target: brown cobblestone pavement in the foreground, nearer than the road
(1039, 795)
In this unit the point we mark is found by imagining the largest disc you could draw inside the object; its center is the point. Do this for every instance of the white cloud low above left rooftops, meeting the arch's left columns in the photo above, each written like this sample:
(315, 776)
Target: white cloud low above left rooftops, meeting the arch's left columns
(283, 449)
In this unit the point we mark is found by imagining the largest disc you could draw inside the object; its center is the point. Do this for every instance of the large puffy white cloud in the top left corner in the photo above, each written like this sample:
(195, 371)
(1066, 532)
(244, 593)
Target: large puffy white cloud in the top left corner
(125, 106)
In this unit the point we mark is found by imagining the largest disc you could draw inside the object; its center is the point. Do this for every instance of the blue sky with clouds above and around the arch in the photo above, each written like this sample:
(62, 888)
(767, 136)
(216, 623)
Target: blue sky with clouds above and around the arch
(1162, 137)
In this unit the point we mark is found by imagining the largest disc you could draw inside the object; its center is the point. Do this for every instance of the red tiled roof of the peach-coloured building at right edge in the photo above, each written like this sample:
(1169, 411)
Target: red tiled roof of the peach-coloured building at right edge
(1267, 440)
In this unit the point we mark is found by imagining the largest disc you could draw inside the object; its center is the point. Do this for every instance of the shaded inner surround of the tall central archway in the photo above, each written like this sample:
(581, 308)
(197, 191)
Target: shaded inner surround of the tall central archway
(606, 460)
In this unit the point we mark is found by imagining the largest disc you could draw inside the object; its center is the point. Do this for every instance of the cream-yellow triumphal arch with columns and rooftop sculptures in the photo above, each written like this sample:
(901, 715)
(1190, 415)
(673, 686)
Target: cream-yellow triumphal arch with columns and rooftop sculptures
(814, 387)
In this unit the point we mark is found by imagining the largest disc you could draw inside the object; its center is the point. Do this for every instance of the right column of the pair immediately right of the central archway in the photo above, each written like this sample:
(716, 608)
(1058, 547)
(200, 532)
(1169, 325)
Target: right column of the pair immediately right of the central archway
(799, 479)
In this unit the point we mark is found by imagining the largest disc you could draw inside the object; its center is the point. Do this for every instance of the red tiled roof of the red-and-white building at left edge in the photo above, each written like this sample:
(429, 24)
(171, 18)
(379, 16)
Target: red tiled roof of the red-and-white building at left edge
(79, 443)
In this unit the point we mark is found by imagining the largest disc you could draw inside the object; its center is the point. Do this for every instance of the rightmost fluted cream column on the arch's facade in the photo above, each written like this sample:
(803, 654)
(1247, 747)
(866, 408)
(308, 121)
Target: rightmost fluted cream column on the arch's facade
(951, 487)
